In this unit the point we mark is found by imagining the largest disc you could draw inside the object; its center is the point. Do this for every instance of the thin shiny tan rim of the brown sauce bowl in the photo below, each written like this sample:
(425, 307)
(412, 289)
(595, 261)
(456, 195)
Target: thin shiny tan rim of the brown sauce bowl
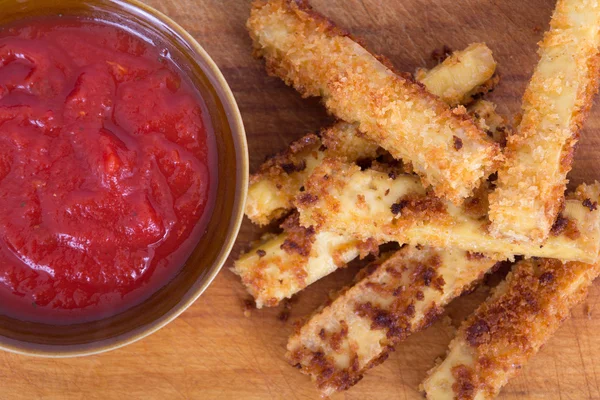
(239, 138)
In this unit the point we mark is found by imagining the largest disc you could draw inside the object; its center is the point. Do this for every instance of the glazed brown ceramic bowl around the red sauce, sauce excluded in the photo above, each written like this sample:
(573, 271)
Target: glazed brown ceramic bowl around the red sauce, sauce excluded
(214, 246)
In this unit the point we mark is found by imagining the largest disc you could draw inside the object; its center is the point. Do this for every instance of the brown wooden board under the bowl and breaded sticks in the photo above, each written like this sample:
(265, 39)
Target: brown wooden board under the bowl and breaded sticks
(213, 351)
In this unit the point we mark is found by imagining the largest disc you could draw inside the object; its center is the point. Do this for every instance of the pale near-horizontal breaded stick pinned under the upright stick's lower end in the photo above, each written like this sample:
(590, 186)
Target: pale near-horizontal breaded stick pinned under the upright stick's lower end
(341, 198)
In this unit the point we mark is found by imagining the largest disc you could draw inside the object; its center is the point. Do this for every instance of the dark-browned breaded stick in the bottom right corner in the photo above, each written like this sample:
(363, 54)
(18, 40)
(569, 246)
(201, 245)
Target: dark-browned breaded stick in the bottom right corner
(508, 329)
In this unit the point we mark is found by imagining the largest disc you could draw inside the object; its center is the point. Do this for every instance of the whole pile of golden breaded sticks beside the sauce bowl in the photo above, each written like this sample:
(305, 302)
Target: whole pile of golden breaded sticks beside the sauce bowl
(427, 146)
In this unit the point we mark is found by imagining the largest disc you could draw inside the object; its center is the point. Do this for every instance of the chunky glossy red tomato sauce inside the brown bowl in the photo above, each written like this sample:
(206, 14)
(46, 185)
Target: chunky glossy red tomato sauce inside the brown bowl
(107, 161)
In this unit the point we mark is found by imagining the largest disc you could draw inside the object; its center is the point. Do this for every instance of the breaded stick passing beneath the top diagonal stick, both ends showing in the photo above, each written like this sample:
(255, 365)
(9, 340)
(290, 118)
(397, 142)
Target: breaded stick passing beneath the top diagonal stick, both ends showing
(273, 188)
